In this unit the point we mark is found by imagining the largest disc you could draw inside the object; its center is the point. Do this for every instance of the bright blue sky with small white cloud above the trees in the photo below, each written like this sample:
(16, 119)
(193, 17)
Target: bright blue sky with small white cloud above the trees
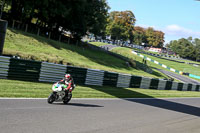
(176, 18)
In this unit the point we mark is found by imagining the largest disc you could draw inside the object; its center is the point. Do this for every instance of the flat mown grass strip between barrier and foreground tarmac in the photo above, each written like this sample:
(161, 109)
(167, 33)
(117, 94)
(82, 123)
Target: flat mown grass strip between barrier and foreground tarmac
(15, 88)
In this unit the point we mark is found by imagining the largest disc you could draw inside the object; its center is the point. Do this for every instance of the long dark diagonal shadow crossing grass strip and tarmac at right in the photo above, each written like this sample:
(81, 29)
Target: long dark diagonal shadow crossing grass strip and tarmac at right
(159, 103)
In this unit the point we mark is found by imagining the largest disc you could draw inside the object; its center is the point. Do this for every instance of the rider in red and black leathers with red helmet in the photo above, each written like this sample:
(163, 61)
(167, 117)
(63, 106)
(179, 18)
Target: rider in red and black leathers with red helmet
(69, 82)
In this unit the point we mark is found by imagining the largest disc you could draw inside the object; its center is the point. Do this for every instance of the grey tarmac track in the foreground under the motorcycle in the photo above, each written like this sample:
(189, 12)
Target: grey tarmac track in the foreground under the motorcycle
(100, 116)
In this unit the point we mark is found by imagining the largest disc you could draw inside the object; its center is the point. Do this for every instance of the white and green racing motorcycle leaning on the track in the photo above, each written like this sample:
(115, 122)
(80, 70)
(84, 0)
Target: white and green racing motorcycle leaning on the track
(59, 94)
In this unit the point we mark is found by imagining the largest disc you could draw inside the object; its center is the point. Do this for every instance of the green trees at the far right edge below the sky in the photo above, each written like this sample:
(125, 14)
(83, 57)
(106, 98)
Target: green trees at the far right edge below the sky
(186, 48)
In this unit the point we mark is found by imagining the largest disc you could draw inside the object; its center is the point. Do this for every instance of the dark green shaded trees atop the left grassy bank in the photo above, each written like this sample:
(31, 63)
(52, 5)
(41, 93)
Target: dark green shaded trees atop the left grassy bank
(76, 16)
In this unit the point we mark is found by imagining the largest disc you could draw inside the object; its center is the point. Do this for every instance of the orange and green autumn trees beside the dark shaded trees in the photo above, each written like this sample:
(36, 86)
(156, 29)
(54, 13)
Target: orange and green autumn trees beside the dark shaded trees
(121, 27)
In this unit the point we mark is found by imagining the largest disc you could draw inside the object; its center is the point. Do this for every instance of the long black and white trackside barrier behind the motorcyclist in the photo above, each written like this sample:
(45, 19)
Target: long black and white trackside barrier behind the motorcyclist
(11, 68)
